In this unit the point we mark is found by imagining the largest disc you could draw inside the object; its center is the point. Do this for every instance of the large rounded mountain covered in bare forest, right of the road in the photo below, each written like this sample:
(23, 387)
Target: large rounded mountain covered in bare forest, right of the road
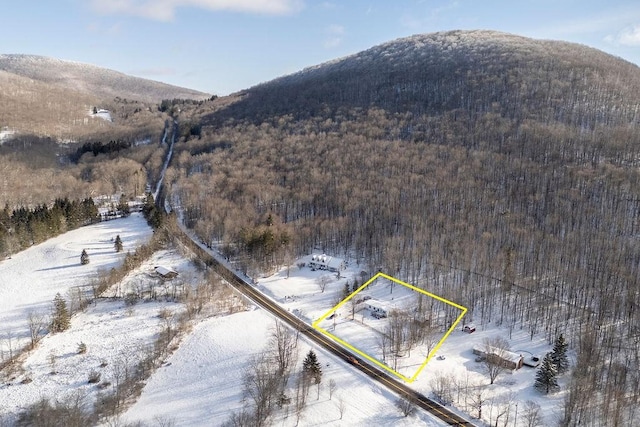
(494, 170)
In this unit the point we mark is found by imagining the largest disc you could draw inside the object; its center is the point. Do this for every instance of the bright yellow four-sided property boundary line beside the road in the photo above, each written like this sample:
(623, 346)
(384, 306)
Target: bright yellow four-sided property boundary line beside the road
(372, 359)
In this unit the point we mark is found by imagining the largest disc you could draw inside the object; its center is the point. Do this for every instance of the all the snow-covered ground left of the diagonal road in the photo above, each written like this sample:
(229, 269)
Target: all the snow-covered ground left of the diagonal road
(200, 383)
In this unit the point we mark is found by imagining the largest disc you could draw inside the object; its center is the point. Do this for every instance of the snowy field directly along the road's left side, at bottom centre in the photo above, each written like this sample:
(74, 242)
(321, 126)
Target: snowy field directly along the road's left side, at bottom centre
(201, 383)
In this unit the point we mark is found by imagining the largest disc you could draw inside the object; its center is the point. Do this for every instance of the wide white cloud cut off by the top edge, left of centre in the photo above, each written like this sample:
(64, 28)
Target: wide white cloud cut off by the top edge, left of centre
(164, 10)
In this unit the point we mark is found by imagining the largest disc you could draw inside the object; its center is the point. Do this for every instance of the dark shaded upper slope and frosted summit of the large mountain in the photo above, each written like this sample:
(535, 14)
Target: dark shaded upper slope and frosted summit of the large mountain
(463, 71)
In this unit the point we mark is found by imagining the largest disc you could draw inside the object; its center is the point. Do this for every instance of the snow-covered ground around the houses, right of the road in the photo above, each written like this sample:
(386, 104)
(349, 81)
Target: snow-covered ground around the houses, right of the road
(301, 294)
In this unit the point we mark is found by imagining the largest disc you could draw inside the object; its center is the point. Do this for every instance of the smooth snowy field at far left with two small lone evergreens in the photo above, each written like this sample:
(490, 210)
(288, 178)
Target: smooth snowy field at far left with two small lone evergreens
(29, 280)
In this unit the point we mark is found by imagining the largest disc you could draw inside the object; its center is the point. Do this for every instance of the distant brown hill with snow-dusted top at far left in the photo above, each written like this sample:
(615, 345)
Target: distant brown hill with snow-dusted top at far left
(55, 98)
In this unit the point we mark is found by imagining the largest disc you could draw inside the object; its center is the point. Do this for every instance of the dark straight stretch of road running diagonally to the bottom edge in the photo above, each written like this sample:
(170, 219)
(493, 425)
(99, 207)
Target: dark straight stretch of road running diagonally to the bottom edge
(266, 303)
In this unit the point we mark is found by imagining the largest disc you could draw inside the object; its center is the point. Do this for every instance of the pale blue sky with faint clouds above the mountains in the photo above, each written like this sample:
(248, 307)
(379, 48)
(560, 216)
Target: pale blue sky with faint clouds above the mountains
(221, 46)
